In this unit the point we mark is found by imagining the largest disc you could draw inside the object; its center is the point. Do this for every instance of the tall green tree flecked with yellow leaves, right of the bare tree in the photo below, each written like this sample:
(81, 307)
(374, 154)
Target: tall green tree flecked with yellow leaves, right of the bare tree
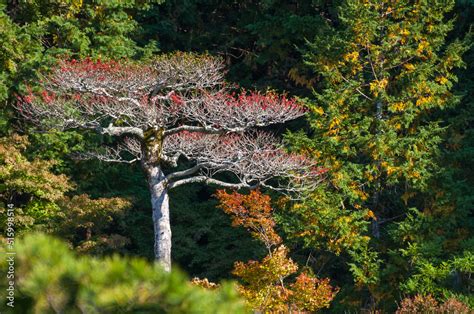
(386, 71)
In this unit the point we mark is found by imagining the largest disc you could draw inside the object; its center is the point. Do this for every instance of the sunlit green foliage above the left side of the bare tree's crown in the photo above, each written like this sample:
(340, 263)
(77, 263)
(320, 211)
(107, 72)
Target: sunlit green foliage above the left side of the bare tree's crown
(84, 28)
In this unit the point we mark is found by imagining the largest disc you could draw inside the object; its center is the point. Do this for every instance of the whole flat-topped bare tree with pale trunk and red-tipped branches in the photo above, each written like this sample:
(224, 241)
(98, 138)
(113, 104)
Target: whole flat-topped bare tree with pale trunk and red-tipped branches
(172, 110)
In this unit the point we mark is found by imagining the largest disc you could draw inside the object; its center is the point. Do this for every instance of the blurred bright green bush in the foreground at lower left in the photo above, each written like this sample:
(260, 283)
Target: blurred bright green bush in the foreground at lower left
(50, 278)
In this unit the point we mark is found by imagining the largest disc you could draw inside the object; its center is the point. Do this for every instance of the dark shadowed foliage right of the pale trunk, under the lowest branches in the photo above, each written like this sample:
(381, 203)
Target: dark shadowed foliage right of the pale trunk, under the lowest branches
(204, 243)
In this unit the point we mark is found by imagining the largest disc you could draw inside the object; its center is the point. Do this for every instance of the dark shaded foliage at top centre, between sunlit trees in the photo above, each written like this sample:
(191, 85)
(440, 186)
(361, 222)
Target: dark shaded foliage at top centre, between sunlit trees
(258, 39)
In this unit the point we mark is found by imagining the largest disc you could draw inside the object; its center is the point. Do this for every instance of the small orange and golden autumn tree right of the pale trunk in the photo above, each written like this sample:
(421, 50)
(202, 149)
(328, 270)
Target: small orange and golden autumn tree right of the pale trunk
(265, 284)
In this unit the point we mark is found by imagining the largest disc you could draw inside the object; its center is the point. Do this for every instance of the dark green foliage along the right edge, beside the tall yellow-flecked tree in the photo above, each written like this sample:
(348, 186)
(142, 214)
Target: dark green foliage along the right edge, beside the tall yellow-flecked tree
(439, 241)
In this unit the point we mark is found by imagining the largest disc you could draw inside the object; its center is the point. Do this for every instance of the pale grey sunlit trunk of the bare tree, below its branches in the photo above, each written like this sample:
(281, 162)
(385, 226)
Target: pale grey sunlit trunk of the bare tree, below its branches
(161, 216)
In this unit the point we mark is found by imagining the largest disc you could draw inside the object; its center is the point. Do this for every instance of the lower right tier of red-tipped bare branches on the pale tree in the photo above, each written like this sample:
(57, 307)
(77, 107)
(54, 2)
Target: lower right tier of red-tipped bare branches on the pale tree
(254, 158)
